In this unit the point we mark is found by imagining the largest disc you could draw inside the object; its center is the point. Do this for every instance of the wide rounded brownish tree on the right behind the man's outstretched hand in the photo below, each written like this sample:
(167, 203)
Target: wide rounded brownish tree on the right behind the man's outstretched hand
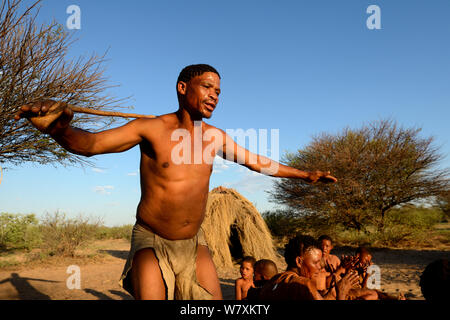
(378, 167)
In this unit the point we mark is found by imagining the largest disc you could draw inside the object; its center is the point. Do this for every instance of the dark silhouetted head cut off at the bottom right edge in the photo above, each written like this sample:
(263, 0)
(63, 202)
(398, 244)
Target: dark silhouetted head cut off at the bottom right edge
(435, 281)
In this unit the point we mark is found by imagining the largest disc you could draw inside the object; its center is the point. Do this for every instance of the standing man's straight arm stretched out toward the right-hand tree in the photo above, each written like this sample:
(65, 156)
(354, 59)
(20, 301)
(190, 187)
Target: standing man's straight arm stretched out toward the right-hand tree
(234, 152)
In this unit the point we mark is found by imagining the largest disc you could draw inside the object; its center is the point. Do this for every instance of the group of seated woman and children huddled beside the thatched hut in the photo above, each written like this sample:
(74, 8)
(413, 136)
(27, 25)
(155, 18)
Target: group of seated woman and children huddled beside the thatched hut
(312, 273)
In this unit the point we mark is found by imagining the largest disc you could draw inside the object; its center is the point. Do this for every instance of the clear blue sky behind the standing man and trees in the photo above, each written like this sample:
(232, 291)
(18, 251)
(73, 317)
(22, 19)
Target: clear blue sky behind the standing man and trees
(302, 67)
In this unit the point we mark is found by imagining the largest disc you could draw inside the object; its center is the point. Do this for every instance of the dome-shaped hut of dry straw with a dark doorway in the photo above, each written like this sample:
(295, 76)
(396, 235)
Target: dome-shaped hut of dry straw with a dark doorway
(234, 228)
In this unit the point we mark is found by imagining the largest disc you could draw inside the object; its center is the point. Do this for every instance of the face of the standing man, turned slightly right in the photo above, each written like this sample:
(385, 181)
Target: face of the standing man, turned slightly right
(200, 95)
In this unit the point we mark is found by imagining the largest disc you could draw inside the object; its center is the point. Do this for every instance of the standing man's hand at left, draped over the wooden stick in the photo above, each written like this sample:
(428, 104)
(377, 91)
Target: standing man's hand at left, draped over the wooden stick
(47, 116)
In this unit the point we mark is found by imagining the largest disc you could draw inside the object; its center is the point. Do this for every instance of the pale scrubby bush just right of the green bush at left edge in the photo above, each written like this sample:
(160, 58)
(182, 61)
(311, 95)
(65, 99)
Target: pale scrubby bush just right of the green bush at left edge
(62, 236)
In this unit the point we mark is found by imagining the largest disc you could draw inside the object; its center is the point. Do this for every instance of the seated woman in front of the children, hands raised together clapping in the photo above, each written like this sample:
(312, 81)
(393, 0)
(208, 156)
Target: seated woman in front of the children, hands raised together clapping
(303, 257)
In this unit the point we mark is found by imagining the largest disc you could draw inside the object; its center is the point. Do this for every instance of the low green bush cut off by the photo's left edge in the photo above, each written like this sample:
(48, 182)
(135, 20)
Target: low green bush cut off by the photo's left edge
(19, 231)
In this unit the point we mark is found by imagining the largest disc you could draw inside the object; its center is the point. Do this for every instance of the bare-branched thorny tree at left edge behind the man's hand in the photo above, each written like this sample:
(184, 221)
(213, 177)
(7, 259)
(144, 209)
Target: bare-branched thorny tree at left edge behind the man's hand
(34, 66)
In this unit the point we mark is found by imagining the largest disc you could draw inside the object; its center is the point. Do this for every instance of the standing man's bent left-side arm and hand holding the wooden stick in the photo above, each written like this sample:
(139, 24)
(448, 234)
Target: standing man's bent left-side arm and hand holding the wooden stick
(75, 140)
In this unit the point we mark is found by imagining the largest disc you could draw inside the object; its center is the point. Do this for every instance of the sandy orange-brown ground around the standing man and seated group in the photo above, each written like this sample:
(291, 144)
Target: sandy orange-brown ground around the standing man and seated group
(400, 272)
